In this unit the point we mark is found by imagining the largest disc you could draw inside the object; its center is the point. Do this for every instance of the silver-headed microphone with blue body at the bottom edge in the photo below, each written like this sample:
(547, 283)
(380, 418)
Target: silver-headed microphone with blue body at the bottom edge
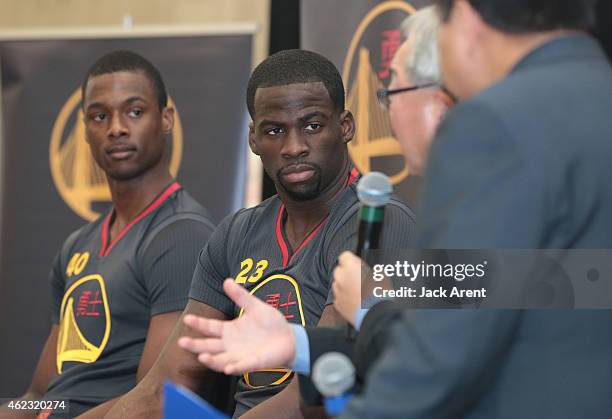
(333, 374)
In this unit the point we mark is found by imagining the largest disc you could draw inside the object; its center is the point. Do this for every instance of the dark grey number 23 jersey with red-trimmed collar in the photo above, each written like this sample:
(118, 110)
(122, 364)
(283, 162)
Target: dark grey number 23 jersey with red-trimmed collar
(250, 246)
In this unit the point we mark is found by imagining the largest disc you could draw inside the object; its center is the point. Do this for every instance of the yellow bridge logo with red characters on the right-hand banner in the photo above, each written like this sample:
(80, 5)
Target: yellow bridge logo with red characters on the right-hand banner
(373, 135)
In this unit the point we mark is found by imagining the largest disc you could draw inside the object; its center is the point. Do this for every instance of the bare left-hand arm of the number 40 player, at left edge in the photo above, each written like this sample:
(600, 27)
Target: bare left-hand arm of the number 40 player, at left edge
(44, 372)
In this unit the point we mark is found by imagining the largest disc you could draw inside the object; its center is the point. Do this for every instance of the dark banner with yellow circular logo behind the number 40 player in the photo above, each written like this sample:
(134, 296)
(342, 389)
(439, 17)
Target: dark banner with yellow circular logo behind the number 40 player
(50, 183)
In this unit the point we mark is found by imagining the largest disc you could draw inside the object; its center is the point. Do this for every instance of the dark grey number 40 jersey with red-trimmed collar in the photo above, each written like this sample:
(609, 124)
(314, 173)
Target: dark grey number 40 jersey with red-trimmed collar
(105, 293)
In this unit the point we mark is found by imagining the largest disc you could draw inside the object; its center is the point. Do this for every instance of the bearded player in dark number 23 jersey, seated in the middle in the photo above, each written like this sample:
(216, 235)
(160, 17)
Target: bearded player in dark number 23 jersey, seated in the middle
(282, 251)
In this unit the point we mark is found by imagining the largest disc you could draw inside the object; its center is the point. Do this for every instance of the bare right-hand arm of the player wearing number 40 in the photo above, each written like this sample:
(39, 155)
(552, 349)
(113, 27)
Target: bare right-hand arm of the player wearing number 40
(160, 328)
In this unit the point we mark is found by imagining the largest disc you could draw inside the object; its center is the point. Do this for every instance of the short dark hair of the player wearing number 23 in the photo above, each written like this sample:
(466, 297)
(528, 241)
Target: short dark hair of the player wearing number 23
(296, 66)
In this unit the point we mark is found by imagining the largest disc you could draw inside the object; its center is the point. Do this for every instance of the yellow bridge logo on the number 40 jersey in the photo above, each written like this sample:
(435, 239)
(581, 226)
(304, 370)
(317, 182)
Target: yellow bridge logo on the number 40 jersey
(86, 301)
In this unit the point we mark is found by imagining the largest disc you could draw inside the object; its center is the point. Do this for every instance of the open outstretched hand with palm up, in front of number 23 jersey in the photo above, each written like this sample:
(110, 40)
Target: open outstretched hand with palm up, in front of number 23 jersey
(260, 338)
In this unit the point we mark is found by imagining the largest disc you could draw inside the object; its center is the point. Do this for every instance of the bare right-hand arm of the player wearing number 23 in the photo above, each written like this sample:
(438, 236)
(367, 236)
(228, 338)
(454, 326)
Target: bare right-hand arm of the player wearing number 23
(286, 404)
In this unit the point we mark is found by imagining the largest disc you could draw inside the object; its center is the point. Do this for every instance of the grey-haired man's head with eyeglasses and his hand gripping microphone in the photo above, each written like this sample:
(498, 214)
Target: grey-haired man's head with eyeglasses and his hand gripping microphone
(416, 102)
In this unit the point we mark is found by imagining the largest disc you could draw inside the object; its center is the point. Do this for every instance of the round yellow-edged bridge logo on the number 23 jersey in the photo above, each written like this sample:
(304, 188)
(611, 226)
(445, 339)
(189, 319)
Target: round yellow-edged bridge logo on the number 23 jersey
(283, 293)
